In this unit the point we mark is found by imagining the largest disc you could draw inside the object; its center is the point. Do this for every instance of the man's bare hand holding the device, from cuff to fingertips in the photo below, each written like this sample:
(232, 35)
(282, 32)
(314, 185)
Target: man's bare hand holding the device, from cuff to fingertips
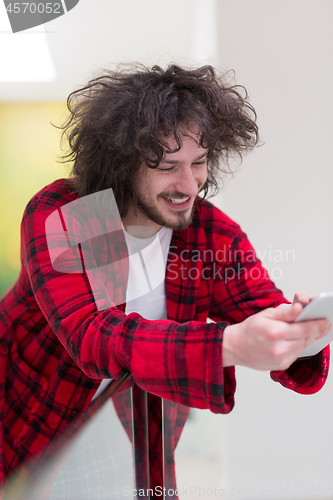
(269, 340)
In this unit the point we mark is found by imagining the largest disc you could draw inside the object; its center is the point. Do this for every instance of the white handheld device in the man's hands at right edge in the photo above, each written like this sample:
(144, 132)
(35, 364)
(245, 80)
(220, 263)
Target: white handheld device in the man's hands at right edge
(320, 307)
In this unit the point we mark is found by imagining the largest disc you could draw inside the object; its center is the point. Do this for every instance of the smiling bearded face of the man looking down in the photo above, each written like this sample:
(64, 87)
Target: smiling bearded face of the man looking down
(166, 193)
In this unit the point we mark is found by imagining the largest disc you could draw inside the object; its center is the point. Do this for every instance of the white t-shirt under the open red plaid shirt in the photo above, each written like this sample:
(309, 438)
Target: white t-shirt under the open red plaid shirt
(145, 293)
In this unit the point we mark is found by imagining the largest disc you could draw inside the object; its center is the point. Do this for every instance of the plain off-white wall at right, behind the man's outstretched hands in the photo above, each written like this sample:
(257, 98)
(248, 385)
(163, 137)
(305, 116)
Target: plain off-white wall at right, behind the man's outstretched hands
(280, 443)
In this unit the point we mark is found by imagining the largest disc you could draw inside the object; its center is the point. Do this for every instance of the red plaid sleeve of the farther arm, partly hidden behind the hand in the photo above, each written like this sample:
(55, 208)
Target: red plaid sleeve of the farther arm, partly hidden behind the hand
(244, 288)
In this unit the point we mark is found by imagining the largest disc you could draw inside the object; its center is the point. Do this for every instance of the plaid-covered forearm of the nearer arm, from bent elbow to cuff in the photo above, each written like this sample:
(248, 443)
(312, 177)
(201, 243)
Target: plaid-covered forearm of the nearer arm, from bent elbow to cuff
(180, 362)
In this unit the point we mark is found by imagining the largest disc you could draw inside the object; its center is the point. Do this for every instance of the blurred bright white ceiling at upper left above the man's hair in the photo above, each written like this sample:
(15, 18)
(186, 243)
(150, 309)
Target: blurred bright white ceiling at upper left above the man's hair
(99, 34)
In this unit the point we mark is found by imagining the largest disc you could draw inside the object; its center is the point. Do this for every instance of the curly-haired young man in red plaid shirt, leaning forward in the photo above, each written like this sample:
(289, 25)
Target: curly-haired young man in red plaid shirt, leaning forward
(157, 139)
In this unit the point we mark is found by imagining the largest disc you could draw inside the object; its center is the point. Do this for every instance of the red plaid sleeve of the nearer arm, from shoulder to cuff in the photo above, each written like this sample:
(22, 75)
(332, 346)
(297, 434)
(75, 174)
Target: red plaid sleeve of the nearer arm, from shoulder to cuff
(179, 362)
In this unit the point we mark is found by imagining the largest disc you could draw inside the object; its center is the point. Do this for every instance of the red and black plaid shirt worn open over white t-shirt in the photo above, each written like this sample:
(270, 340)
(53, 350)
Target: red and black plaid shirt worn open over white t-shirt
(56, 346)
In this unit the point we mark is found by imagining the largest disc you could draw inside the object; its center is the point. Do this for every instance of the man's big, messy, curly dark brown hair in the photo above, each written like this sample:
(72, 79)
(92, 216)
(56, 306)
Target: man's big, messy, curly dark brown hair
(121, 118)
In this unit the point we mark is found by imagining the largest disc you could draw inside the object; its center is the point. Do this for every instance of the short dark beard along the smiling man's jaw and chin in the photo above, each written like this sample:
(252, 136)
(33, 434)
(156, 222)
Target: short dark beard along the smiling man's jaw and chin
(184, 218)
